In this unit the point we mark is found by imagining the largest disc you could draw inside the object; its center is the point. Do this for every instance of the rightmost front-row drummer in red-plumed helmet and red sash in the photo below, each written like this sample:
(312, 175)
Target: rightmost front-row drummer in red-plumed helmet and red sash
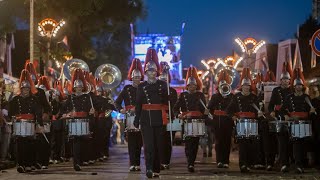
(295, 107)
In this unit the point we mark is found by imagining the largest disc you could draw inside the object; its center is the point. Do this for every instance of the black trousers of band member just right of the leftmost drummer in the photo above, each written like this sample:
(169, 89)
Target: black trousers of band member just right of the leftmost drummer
(43, 149)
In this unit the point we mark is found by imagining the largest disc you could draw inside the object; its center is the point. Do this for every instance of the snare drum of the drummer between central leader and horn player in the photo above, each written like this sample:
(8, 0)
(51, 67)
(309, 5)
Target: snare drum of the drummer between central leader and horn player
(194, 128)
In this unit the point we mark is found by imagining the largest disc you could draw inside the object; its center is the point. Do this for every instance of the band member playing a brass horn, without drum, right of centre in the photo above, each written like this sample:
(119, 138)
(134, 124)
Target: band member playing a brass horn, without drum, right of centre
(222, 124)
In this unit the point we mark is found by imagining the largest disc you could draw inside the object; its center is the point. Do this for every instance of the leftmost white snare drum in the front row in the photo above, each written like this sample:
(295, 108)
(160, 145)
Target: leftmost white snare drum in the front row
(24, 128)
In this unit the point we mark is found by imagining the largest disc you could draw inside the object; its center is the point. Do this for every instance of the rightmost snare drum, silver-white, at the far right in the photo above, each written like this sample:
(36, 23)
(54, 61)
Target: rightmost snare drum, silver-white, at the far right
(300, 129)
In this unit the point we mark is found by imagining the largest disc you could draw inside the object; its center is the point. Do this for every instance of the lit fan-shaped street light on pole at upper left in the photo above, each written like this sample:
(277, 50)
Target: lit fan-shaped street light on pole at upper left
(49, 28)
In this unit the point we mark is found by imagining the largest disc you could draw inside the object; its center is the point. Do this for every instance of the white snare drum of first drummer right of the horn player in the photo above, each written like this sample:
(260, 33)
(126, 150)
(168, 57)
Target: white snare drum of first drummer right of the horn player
(247, 128)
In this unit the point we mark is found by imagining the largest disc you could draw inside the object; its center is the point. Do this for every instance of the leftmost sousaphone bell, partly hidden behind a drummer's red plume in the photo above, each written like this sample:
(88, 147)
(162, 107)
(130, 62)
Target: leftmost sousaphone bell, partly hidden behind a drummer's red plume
(71, 65)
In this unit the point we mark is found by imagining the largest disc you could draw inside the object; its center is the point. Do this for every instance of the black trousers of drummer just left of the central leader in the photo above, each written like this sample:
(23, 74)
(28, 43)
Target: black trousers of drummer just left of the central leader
(134, 147)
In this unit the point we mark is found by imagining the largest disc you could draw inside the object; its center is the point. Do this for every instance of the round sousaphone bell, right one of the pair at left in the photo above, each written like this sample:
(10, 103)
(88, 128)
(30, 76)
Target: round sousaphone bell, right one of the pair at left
(109, 74)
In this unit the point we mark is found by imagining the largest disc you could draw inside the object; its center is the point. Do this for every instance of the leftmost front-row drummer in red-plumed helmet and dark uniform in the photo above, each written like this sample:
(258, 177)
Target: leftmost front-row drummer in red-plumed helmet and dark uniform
(25, 106)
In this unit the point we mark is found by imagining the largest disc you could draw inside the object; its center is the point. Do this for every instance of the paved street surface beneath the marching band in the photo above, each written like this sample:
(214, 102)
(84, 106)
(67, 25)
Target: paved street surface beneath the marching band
(117, 168)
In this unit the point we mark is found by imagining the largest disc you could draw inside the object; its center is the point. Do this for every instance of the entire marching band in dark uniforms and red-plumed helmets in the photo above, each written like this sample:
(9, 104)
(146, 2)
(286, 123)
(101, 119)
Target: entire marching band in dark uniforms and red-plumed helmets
(73, 119)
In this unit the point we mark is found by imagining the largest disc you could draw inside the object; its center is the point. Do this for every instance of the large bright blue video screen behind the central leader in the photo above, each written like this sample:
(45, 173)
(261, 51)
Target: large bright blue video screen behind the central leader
(168, 48)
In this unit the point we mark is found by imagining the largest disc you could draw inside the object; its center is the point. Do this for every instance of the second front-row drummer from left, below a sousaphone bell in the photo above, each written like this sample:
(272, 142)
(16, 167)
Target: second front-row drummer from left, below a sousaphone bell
(78, 106)
